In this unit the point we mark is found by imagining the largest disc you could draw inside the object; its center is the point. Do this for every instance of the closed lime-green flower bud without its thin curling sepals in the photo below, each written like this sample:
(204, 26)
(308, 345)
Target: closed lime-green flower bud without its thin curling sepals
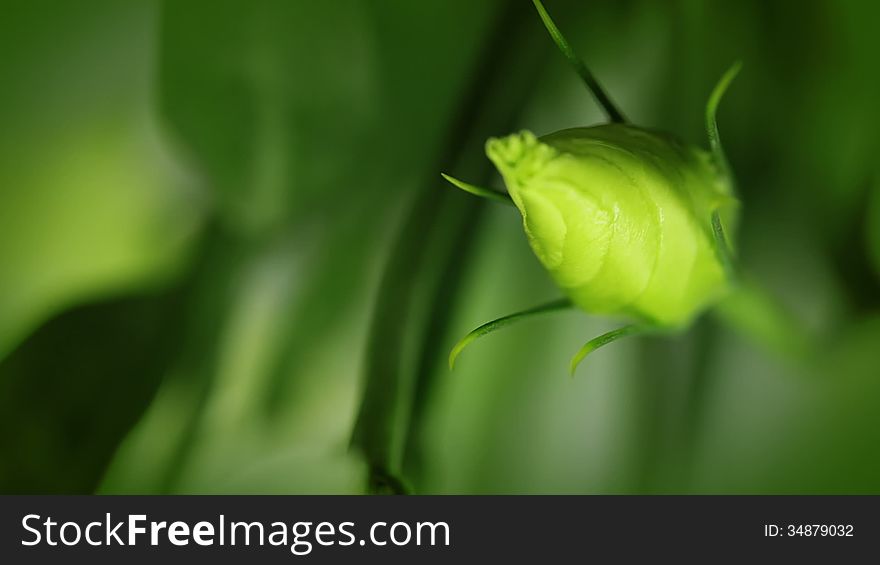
(621, 218)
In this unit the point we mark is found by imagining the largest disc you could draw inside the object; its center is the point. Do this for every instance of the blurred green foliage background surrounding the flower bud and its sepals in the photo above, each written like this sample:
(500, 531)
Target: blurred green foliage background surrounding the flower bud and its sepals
(228, 263)
